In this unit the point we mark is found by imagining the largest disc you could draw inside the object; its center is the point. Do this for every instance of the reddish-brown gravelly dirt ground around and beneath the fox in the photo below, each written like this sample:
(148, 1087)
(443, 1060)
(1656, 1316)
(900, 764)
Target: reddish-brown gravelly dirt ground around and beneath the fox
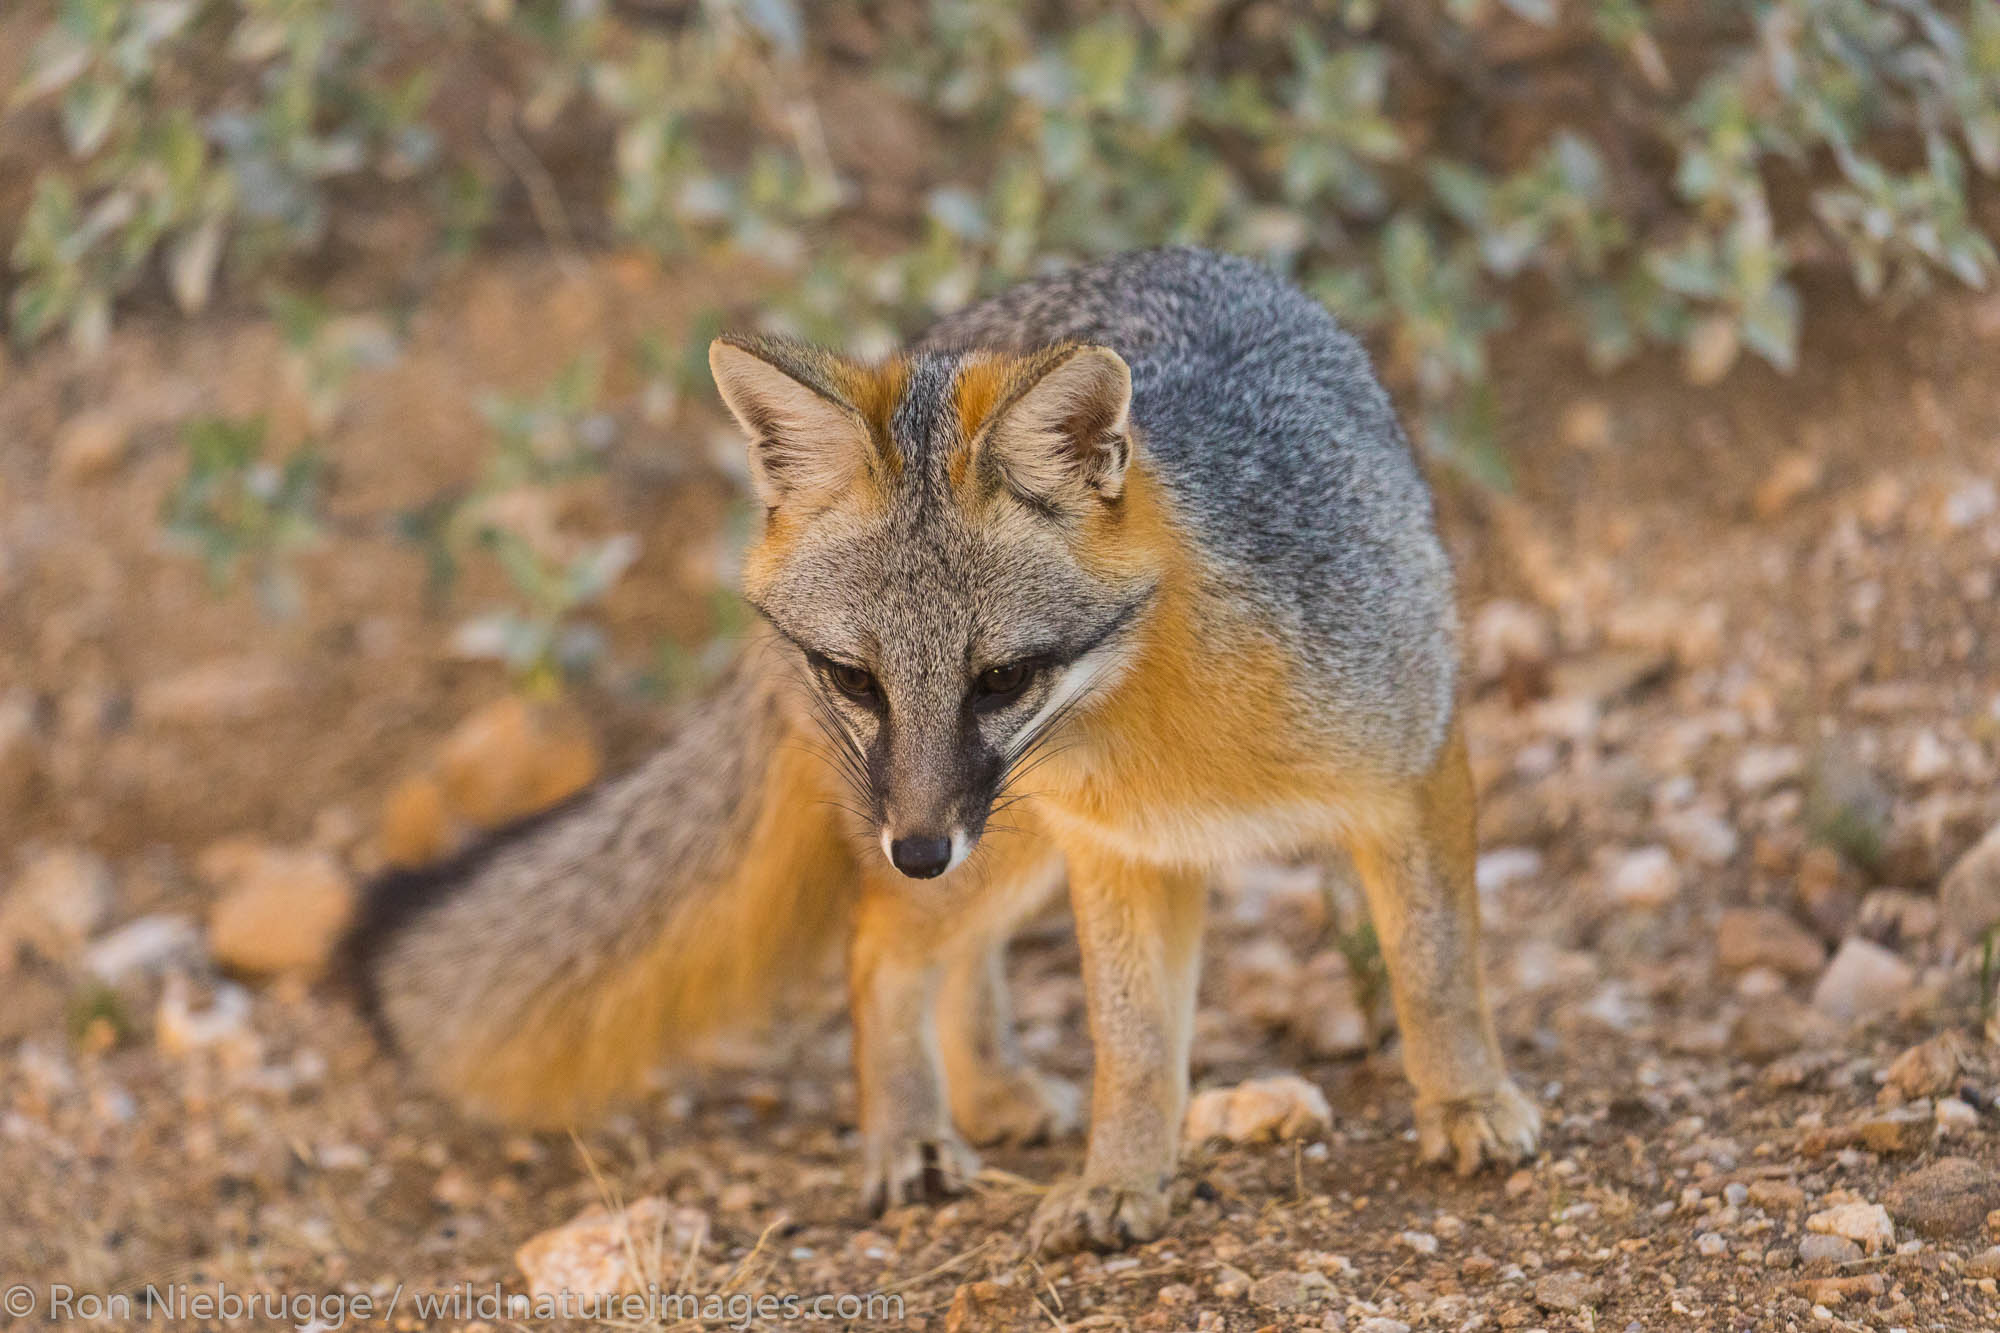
(1729, 649)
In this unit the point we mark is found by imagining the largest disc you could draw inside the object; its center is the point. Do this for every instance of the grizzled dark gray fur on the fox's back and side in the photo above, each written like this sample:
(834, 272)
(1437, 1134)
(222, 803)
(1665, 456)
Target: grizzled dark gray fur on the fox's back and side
(1281, 451)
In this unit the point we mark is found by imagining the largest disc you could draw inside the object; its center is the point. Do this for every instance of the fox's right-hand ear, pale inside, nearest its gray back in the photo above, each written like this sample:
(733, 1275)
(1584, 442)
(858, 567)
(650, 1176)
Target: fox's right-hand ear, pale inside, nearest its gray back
(1067, 435)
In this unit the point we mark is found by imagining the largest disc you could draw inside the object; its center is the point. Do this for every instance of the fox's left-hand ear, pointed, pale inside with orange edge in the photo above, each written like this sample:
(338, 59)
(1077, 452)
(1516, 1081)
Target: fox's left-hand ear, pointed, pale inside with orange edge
(805, 439)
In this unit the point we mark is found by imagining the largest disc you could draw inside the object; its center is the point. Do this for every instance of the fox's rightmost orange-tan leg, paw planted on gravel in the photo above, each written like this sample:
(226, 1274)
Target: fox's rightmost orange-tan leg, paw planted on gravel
(1417, 876)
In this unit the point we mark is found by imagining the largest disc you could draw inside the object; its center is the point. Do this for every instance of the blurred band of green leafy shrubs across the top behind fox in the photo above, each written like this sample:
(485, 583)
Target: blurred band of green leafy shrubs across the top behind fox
(1421, 167)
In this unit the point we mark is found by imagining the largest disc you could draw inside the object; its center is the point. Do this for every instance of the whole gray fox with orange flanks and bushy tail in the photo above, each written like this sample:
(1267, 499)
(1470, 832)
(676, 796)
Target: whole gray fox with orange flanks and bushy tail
(1107, 581)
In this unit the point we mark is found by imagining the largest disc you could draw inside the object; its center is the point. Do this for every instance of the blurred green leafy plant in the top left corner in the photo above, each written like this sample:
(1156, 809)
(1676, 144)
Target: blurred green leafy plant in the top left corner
(169, 167)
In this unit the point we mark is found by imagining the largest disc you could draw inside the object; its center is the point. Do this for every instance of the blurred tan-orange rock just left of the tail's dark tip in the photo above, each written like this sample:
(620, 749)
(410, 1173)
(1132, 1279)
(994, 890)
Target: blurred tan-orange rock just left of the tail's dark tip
(281, 912)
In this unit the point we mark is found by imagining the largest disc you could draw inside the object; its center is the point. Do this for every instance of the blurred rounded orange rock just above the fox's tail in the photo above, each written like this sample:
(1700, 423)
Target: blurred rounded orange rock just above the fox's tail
(515, 760)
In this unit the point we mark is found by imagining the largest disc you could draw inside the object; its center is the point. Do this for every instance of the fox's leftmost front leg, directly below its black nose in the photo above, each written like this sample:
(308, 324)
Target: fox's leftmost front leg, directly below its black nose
(911, 1154)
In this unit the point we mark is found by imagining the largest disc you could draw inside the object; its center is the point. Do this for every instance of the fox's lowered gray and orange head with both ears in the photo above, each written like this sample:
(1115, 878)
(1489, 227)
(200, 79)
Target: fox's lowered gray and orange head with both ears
(951, 551)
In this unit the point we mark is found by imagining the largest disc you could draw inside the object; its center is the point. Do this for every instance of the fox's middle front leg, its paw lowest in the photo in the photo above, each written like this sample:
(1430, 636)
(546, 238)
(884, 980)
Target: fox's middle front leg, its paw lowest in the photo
(1139, 930)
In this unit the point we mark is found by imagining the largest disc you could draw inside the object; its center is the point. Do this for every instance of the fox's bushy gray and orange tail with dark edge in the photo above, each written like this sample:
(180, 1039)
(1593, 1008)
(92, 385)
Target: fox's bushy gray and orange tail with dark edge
(547, 972)
